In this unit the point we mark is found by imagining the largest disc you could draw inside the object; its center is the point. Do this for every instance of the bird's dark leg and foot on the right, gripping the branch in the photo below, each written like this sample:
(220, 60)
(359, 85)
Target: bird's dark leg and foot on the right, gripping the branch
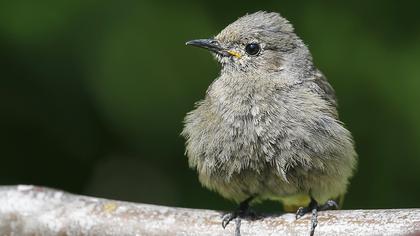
(314, 208)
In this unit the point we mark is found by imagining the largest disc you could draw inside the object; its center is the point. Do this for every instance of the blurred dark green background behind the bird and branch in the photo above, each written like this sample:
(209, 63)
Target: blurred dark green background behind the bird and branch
(93, 93)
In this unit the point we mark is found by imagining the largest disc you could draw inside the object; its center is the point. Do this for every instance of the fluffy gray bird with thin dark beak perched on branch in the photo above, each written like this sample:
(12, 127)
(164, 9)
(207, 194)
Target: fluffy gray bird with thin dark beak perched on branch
(268, 126)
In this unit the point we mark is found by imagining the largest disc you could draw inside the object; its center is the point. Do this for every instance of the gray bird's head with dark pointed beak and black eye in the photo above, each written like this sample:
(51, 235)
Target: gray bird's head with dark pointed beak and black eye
(260, 42)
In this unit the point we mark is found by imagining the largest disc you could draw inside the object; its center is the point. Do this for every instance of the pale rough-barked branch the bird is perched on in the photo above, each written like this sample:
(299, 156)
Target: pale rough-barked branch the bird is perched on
(29, 210)
